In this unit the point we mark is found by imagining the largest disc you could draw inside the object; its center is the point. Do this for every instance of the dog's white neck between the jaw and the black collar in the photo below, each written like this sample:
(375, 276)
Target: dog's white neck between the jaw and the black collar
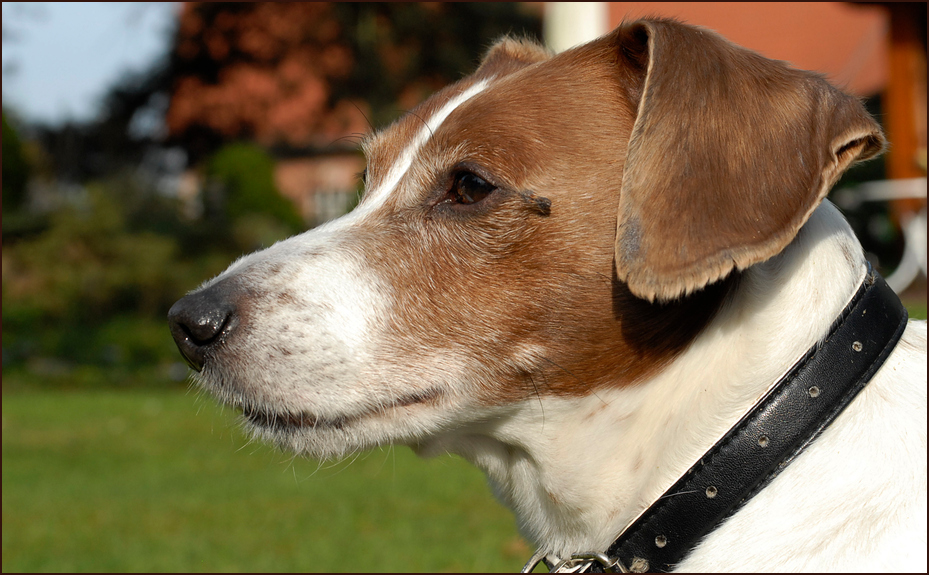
(577, 471)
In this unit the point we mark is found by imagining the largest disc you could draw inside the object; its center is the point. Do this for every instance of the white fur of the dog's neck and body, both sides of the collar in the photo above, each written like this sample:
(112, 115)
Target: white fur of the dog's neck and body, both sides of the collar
(605, 465)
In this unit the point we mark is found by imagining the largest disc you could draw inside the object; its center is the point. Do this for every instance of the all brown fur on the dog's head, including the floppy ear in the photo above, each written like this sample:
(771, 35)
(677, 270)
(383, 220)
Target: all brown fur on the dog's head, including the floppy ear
(714, 156)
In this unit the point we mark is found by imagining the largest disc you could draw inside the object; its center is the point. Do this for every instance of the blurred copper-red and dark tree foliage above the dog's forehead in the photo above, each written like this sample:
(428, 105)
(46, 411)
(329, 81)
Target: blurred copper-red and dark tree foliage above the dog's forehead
(308, 74)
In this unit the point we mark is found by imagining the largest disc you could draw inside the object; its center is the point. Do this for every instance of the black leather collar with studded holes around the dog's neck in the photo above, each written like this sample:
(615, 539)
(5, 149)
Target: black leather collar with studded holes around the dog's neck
(787, 419)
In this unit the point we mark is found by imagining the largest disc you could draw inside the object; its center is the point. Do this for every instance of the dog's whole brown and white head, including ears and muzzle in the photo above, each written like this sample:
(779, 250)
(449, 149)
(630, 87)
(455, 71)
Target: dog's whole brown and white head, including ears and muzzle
(549, 225)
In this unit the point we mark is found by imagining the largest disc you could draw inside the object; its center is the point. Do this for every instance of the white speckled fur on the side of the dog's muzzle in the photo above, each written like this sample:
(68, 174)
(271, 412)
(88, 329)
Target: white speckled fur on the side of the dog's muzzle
(327, 326)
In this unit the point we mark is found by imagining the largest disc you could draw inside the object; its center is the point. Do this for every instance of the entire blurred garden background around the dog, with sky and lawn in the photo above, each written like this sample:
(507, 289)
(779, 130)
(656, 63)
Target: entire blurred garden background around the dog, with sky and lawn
(147, 145)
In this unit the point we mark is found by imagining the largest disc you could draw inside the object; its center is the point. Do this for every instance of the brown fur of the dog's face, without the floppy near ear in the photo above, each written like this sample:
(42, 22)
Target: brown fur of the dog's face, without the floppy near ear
(526, 296)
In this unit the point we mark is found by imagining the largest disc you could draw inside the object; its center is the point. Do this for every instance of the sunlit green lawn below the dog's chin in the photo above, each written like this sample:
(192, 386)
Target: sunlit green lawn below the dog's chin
(150, 480)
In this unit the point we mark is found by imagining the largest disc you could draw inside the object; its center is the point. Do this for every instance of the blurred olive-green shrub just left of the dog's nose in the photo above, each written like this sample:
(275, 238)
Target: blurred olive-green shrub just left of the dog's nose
(91, 289)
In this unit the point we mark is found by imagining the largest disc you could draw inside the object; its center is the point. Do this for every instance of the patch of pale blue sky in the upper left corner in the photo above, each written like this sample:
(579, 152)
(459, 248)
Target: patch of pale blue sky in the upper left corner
(60, 58)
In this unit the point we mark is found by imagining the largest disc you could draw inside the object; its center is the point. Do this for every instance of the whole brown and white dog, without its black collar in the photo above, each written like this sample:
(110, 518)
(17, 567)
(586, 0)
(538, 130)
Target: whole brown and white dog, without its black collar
(579, 272)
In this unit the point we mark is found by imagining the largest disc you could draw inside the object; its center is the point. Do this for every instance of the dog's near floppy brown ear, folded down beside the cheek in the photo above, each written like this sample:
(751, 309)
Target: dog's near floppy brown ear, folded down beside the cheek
(729, 155)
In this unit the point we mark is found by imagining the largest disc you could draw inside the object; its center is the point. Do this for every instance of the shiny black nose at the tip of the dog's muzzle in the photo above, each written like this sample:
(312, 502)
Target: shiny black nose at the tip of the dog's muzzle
(202, 320)
